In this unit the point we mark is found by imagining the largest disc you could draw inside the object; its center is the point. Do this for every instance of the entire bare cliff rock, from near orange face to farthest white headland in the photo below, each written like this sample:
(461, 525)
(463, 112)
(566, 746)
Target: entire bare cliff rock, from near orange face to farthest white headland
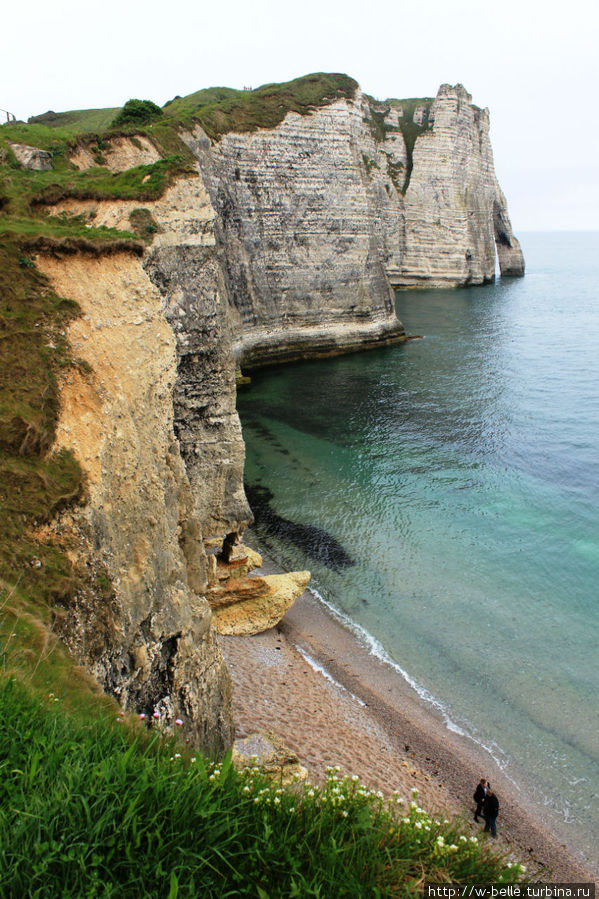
(283, 243)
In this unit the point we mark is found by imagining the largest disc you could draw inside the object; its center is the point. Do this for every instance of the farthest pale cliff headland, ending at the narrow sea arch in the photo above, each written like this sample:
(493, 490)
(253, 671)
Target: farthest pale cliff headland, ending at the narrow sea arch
(455, 211)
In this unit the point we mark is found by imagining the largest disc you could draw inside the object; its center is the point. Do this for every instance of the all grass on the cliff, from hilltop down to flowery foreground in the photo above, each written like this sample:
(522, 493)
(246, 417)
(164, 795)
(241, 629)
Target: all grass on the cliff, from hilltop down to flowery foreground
(86, 809)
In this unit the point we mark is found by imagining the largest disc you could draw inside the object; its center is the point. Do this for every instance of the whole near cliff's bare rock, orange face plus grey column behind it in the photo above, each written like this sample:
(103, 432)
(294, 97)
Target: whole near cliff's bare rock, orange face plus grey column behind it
(155, 428)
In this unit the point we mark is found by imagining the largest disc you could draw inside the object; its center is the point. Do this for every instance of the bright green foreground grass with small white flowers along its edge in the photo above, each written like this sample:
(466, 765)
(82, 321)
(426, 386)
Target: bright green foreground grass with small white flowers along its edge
(109, 808)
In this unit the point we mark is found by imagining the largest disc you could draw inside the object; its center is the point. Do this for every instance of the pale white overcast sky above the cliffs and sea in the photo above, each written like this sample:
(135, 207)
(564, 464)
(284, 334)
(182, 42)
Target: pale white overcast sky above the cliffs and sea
(534, 64)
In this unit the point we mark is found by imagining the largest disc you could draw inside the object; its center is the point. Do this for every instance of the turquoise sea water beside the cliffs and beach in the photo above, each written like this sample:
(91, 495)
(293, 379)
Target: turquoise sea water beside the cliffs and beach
(445, 496)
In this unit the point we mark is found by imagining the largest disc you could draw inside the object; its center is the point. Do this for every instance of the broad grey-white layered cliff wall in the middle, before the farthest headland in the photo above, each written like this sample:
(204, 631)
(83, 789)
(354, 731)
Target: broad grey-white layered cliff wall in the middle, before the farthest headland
(297, 217)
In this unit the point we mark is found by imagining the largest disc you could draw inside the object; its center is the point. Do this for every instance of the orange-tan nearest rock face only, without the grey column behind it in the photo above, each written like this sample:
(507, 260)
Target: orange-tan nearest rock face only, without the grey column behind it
(150, 644)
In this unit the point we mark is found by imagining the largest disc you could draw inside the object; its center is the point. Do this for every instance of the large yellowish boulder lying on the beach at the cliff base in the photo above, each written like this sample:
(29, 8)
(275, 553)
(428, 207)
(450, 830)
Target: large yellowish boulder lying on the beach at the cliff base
(251, 605)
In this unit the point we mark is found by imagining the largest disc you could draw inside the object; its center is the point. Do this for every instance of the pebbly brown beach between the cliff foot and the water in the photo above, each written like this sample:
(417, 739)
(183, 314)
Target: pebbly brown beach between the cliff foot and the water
(310, 681)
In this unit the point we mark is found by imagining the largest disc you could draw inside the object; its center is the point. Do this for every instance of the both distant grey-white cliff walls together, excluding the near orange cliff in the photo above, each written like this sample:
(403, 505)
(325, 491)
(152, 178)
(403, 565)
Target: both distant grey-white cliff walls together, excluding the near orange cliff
(315, 226)
